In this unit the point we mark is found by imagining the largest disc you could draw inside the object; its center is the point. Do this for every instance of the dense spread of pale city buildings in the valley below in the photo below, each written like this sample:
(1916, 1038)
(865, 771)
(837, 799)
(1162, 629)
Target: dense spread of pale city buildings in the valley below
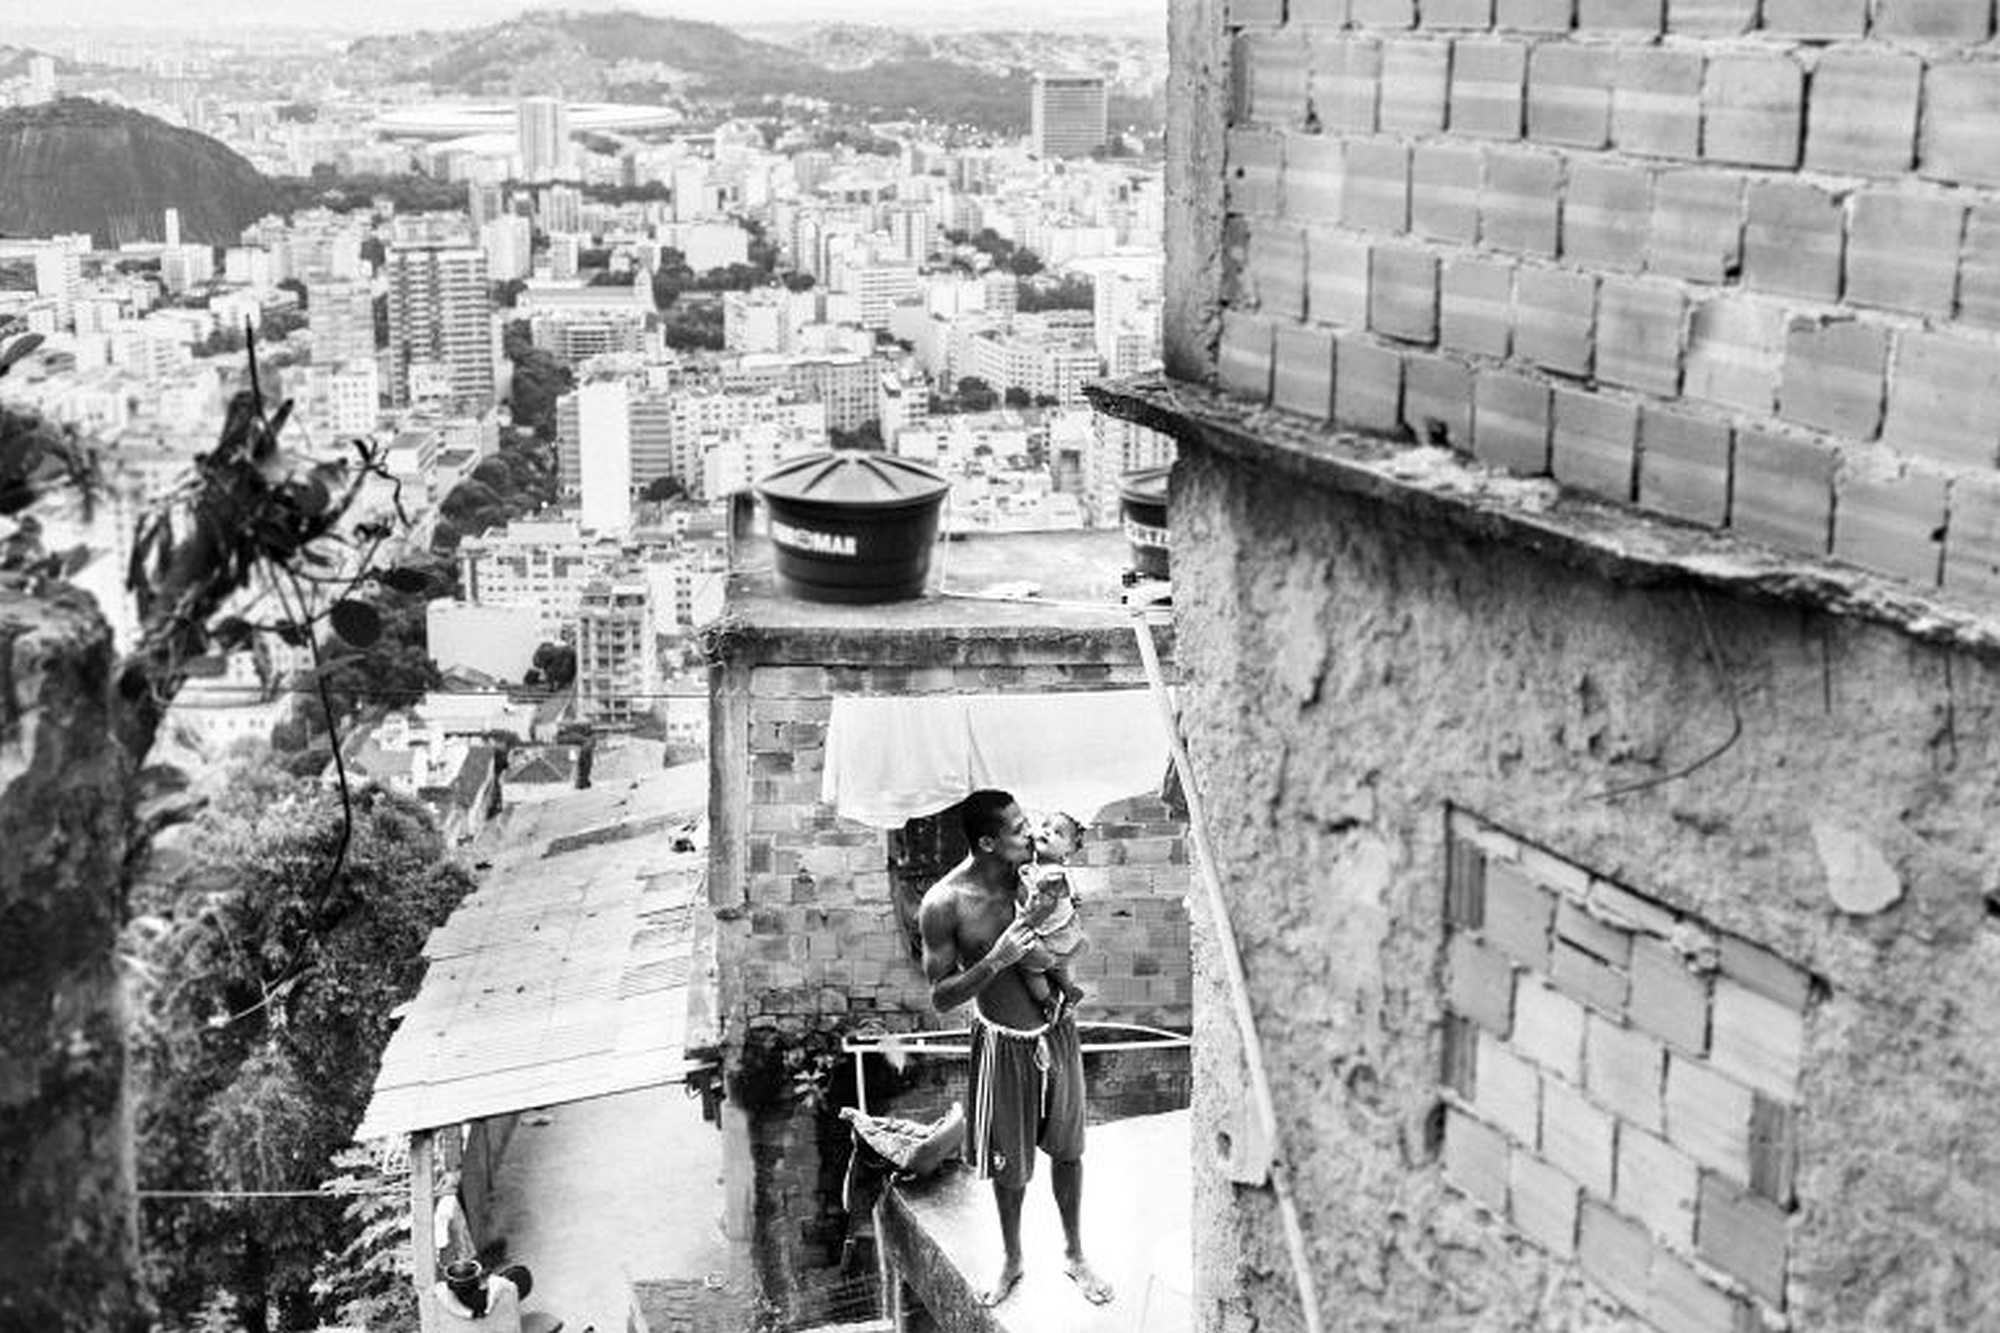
(937, 301)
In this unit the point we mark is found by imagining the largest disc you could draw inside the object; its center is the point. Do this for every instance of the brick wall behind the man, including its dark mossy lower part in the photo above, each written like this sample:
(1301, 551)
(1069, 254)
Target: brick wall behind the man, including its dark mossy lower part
(809, 940)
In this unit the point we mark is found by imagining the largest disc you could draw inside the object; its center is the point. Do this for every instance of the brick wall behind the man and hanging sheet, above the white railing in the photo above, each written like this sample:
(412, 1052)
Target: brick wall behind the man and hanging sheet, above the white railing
(819, 942)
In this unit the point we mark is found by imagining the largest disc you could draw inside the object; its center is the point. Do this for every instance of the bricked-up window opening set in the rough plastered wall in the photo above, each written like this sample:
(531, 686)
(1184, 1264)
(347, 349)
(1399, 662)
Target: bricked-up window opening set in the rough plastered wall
(1623, 1084)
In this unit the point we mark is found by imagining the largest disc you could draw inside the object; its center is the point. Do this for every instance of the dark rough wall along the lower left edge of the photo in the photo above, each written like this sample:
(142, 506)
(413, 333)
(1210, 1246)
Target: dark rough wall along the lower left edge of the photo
(67, 1222)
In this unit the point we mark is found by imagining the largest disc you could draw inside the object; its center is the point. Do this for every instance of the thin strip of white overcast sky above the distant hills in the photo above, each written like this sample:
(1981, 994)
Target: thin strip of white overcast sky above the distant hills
(401, 15)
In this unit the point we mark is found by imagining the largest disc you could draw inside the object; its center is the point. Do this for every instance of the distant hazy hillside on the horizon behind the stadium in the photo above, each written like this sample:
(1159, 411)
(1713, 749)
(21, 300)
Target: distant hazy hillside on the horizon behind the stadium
(979, 79)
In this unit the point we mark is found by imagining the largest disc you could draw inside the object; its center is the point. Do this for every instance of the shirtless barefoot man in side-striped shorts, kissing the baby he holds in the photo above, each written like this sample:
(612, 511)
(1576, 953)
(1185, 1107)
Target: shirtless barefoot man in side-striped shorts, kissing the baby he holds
(1027, 1086)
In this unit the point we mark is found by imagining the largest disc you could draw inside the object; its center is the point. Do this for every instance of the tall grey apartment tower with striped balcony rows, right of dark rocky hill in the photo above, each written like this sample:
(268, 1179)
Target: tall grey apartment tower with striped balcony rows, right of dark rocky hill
(441, 323)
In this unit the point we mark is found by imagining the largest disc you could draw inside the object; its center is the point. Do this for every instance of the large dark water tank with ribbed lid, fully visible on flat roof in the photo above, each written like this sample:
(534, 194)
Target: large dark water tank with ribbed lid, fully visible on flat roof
(853, 525)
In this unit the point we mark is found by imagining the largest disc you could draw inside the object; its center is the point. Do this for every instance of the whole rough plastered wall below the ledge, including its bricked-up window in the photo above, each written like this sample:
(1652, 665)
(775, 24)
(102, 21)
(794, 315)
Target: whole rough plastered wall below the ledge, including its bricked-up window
(1617, 952)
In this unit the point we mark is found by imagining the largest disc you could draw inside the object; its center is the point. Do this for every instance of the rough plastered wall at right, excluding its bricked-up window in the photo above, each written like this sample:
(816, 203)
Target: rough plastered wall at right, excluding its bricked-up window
(1353, 676)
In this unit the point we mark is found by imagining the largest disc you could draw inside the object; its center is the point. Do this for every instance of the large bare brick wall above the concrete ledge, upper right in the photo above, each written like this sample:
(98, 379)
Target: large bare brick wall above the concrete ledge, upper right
(1733, 261)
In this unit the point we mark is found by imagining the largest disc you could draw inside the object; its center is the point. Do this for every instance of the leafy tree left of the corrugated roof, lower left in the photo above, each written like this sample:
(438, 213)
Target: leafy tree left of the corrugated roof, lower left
(261, 1022)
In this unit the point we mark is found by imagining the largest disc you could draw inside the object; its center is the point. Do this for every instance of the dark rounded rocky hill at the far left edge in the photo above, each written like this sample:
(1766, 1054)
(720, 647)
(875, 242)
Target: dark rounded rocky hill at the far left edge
(87, 167)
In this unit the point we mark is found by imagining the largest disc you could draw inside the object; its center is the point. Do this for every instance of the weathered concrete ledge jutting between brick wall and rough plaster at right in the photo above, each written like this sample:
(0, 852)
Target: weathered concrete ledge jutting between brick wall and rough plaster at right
(1613, 541)
